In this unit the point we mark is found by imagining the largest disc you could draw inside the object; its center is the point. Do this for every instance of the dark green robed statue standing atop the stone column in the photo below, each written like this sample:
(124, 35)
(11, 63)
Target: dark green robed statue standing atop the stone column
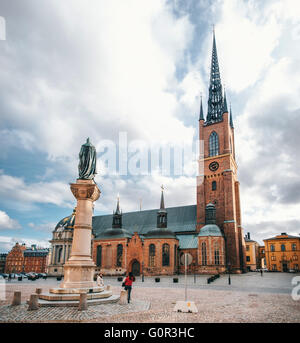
(87, 161)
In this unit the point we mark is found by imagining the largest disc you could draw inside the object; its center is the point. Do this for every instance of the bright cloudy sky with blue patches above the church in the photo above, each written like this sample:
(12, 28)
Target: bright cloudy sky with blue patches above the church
(75, 69)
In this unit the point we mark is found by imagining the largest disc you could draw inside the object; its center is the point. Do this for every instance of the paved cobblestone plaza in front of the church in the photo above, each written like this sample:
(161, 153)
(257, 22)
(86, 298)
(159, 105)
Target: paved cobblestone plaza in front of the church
(250, 298)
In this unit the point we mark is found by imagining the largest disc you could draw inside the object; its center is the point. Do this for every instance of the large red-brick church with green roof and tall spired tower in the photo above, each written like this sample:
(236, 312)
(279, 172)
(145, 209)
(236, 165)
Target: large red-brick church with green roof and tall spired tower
(153, 242)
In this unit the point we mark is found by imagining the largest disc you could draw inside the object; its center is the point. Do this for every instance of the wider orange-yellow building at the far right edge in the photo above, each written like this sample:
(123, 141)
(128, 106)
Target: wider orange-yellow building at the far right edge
(282, 253)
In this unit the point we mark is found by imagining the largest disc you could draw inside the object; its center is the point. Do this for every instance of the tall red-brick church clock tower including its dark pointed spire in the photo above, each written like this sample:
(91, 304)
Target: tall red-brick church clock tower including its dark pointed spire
(219, 184)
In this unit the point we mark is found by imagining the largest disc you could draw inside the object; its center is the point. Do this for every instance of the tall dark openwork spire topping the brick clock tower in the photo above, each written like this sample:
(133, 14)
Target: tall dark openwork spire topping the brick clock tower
(215, 98)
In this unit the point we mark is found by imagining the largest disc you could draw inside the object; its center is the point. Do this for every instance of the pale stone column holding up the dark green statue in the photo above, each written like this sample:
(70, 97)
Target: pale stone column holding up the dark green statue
(79, 269)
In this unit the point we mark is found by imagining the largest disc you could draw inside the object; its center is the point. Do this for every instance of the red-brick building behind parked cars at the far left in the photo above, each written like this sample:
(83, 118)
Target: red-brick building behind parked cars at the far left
(24, 260)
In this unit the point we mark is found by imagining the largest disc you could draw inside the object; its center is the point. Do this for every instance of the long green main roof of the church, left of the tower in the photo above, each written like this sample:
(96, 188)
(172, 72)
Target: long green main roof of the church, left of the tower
(180, 219)
